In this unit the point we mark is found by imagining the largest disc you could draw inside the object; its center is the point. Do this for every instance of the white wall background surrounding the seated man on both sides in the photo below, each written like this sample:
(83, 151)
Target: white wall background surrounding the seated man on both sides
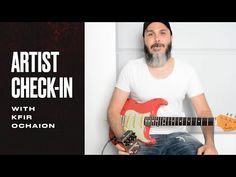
(209, 47)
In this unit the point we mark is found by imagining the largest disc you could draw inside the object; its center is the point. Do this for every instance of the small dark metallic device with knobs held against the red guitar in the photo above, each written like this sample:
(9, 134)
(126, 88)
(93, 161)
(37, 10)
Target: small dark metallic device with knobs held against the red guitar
(130, 142)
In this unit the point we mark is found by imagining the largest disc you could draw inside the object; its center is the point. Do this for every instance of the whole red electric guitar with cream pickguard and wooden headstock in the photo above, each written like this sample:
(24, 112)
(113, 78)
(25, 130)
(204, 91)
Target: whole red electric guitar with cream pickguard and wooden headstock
(139, 117)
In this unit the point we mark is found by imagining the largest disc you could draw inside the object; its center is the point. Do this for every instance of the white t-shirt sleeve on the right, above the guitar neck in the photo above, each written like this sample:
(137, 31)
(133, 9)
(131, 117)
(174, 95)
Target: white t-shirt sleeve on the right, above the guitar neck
(195, 87)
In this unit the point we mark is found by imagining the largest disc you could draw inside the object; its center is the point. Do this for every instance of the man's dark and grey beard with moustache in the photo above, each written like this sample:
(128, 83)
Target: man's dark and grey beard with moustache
(157, 60)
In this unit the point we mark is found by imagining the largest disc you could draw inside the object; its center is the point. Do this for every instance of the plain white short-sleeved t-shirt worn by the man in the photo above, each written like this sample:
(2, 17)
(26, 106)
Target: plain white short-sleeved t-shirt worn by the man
(136, 78)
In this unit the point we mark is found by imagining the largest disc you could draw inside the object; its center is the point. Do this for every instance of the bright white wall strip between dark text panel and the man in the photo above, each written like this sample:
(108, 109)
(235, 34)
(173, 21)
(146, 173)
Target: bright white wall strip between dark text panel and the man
(100, 76)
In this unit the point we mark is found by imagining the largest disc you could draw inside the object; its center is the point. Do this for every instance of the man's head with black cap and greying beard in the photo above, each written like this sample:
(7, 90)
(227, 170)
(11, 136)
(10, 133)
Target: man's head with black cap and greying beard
(157, 42)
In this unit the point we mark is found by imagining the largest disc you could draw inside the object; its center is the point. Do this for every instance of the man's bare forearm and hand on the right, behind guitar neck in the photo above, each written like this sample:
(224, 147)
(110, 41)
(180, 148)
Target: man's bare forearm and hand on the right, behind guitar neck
(203, 110)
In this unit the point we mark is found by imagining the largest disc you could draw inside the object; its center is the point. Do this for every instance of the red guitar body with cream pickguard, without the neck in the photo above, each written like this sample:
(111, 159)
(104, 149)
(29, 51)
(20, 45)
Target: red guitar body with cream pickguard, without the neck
(133, 114)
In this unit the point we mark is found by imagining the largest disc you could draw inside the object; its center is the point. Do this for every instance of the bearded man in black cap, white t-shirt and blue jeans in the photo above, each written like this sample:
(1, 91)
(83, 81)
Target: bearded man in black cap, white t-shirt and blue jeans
(159, 75)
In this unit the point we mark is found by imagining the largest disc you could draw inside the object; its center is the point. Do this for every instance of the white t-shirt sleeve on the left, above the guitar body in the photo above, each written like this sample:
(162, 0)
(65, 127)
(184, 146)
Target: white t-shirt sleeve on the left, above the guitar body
(123, 81)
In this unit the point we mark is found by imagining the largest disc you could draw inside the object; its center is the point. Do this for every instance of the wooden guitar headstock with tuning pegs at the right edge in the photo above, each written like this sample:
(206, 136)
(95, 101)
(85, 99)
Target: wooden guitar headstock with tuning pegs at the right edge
(226, 122)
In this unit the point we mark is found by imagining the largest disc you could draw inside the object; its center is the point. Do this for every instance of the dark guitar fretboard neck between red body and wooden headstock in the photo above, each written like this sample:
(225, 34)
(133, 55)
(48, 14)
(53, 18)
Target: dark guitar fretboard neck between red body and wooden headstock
(179, 121)
